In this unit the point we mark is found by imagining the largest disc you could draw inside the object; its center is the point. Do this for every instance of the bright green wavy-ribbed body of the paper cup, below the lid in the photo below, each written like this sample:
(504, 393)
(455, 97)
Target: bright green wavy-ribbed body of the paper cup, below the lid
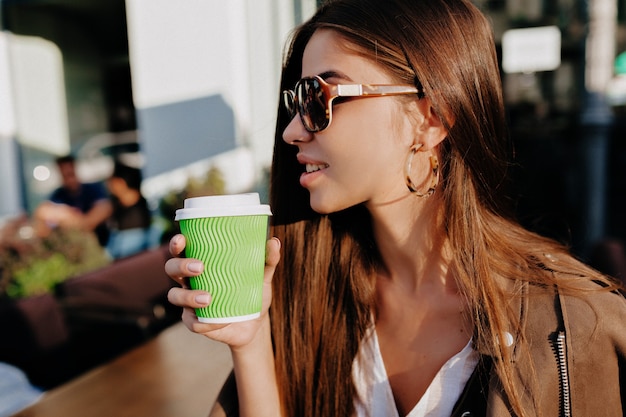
(233, 252)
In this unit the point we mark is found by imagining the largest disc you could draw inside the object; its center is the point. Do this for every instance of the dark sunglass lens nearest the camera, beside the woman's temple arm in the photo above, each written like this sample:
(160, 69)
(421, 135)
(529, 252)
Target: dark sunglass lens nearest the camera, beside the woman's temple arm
(312, 104)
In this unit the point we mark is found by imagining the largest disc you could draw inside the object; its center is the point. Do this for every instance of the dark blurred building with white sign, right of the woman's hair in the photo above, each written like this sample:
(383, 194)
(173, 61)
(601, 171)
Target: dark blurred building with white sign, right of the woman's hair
(569, 148)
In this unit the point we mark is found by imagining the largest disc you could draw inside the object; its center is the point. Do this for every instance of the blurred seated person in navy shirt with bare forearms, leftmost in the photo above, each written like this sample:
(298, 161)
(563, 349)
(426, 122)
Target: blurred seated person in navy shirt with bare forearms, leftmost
(76, 204)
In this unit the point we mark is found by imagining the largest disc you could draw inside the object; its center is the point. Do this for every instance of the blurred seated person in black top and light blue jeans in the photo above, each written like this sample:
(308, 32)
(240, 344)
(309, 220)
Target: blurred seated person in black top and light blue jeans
(131, 221)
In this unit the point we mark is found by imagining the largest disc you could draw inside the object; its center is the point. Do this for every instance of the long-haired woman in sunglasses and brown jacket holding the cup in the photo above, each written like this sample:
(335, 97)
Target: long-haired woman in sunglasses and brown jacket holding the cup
(403, 285)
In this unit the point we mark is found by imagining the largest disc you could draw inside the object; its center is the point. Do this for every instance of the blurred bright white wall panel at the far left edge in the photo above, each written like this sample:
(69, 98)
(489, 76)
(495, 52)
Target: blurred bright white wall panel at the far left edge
(33, 111)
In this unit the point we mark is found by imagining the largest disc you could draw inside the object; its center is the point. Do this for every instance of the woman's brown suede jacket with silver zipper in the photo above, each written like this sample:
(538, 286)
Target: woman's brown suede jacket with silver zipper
(577, 347)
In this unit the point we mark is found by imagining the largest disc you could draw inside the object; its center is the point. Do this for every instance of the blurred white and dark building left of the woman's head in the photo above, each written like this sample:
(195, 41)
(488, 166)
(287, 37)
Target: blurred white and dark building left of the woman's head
(175, 87)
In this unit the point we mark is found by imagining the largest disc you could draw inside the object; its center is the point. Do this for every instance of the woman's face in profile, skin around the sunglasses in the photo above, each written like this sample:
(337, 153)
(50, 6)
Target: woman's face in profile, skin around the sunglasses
(360, 157)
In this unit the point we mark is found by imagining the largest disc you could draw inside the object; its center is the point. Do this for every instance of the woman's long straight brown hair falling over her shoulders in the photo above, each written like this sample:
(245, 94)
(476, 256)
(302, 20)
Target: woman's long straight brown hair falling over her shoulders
(324, 284)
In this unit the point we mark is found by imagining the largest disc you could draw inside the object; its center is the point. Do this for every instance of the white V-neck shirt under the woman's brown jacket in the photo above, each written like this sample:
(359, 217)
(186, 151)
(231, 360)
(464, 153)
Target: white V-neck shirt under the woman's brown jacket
(374, 391)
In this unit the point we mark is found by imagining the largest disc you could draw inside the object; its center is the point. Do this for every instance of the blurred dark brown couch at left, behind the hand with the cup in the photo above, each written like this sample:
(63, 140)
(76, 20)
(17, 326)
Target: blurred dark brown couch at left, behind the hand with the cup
(89, 320)
